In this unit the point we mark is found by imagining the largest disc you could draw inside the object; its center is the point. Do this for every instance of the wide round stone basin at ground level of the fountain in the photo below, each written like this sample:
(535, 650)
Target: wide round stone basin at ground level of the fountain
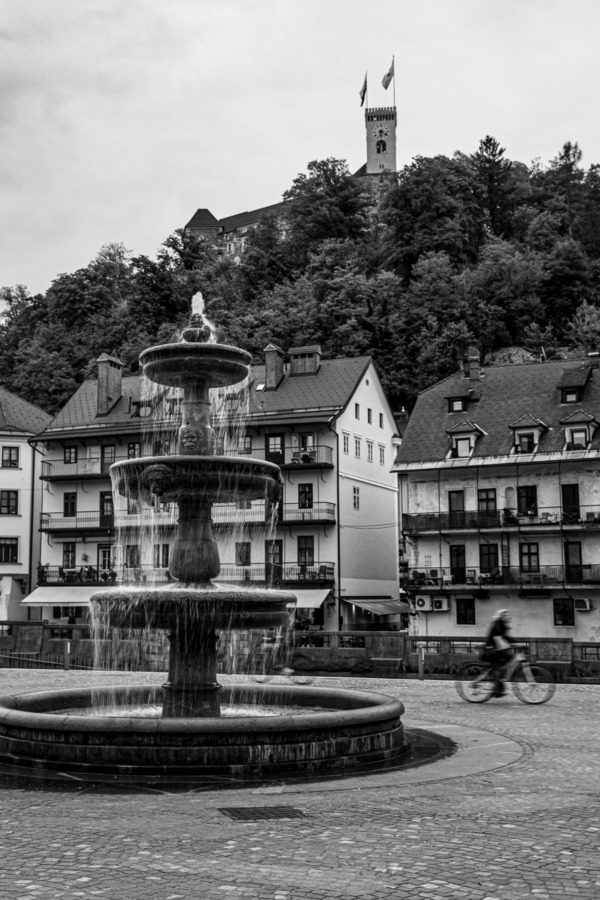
(355, 728)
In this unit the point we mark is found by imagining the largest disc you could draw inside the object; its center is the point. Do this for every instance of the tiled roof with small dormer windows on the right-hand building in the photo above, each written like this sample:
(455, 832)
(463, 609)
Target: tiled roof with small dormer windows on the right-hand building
(507, 393)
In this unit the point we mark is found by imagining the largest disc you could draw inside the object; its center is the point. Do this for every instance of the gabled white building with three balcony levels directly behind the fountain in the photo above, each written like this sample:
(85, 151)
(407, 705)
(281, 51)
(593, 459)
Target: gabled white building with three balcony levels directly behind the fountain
(334, 533)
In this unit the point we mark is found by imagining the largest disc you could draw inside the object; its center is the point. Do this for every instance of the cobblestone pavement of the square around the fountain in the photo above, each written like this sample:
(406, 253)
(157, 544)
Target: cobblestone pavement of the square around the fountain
(528, 829)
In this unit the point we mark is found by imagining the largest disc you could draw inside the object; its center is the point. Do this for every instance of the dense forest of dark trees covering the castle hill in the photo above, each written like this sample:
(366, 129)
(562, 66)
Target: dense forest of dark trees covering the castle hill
(447, 253)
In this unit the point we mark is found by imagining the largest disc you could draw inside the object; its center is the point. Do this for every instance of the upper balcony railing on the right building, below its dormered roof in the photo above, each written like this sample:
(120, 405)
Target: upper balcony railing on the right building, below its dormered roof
(507, 518)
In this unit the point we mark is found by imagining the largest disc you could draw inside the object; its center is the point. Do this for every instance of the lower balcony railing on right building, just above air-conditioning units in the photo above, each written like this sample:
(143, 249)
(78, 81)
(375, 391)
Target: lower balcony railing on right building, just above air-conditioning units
(477, 577)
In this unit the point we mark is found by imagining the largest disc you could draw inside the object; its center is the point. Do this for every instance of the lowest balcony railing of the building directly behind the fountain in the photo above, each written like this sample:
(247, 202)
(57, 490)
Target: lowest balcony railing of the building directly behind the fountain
(261, 573)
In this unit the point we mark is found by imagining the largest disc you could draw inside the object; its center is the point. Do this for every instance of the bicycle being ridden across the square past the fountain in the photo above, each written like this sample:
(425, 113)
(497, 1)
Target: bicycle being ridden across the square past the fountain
(531, 683)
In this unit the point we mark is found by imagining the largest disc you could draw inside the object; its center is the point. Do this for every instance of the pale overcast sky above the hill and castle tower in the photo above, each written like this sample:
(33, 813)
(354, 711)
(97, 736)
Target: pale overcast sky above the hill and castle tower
(119, 118)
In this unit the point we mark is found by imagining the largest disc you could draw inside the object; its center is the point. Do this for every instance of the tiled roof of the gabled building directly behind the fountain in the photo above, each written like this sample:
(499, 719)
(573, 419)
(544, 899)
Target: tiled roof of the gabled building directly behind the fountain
(329, 389)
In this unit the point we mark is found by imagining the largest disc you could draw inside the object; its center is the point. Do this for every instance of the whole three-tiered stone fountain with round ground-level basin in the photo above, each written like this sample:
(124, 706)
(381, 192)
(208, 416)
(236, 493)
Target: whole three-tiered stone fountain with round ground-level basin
(190, 741)
